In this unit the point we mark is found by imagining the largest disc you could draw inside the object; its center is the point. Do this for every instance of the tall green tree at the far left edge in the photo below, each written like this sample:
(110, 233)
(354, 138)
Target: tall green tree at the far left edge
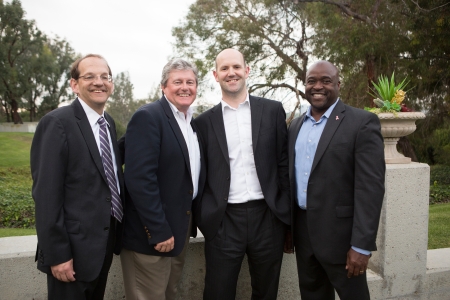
(20, 41)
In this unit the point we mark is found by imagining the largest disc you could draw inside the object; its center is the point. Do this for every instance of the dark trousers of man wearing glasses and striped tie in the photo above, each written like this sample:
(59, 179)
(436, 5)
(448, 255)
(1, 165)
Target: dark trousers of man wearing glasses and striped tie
(80, 290)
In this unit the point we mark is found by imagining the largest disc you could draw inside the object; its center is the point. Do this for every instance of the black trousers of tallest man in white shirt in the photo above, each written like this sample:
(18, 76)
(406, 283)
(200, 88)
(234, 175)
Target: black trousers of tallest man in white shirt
(249, 228)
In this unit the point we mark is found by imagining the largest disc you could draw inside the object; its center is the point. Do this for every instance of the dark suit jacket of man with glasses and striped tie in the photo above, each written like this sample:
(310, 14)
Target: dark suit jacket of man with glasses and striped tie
(71, 193)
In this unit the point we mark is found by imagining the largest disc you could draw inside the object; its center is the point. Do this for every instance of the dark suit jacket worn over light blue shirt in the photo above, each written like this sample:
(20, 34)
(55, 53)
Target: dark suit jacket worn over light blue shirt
(346, 184)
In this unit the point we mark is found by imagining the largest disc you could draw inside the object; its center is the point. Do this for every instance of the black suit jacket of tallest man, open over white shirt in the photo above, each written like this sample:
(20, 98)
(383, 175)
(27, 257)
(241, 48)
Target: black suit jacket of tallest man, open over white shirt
(269, 136)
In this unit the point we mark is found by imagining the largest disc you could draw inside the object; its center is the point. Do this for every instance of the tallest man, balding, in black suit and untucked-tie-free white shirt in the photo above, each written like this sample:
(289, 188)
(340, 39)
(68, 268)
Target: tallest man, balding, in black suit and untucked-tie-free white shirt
(245, 204)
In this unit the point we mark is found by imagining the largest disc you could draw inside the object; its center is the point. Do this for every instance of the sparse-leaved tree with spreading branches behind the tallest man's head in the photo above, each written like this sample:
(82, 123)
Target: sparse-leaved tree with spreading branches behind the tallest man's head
(271, 34)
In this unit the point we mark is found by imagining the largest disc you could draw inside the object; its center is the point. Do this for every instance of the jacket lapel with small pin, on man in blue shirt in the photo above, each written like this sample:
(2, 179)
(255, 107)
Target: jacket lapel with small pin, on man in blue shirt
(336, 117)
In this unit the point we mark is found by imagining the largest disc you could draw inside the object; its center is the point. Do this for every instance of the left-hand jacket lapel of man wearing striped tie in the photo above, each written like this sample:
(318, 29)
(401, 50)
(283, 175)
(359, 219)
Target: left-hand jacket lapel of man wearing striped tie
(86, 131)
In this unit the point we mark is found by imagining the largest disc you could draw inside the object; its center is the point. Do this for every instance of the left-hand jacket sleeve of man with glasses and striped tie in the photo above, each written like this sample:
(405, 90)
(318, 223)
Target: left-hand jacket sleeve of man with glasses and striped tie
(48, 168)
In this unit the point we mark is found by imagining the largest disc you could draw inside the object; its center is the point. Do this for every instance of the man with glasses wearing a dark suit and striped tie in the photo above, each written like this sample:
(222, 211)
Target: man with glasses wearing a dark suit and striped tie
(77, 183)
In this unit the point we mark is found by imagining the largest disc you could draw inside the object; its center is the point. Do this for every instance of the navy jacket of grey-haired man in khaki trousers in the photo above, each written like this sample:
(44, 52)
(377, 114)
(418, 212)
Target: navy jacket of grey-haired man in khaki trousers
(158, 180)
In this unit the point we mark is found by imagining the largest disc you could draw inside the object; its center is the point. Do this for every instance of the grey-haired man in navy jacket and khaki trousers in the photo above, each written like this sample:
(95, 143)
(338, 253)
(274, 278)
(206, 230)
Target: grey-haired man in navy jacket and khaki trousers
(162, 172)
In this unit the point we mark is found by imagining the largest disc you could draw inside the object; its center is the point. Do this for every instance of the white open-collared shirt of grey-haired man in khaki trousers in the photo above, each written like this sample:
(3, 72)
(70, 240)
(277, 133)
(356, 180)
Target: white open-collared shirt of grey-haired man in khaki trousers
(190, 137)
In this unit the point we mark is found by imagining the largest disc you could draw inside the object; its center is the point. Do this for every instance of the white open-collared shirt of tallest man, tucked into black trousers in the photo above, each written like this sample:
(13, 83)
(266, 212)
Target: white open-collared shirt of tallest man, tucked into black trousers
(244, 182)
